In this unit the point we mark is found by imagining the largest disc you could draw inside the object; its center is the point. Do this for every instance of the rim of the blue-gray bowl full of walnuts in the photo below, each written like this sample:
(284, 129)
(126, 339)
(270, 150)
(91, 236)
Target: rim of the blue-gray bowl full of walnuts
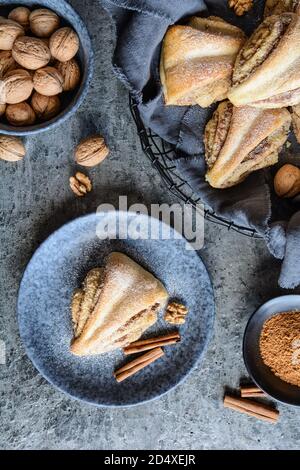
(78, 98)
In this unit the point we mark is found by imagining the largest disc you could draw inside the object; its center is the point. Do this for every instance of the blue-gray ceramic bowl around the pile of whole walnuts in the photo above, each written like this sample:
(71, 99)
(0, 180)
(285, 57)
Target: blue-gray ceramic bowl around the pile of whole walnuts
(70, 101)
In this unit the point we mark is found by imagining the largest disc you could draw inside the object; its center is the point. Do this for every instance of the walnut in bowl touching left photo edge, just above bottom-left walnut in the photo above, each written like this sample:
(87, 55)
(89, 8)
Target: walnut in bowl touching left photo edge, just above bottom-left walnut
(17, 86)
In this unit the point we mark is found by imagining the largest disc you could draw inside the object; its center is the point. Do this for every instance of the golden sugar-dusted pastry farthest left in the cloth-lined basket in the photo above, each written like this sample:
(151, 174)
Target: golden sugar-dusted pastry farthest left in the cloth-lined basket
(197, 61)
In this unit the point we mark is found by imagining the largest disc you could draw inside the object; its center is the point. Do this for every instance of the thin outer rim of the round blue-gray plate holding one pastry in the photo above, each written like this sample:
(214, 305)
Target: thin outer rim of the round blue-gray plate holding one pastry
(134, 404)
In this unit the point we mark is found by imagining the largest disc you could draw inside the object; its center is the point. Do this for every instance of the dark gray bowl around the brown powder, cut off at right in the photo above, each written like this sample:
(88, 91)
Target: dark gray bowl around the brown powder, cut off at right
(260, 373)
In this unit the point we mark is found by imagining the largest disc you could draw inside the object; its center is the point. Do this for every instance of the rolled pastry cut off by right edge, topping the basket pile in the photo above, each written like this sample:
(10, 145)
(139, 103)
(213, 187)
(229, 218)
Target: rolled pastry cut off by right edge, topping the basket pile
(267, 70)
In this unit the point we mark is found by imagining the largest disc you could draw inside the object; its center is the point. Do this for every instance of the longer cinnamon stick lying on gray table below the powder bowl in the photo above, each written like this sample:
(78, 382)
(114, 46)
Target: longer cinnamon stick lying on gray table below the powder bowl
(252, 408)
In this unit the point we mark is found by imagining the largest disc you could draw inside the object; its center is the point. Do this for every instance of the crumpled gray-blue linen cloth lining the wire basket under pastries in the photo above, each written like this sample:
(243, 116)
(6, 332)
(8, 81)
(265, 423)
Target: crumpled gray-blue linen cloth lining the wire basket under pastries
(140, 26)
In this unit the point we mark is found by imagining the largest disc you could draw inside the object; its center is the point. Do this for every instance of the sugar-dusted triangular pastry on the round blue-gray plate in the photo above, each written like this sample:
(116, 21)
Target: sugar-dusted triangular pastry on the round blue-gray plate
(116, 305)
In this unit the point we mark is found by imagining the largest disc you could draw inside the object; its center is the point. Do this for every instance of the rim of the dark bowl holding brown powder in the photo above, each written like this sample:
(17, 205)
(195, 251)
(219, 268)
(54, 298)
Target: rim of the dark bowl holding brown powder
(278, 396)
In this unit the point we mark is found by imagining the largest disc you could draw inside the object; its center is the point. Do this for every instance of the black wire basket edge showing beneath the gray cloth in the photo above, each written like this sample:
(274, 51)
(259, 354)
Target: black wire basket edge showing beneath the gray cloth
(160, 152)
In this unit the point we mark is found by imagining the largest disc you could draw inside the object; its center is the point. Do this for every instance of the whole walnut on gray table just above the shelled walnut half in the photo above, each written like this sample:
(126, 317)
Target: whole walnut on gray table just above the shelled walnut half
(91, 151)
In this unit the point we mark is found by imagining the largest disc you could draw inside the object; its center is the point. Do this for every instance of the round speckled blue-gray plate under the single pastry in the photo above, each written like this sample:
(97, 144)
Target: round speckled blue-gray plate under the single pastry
(60, 265)
